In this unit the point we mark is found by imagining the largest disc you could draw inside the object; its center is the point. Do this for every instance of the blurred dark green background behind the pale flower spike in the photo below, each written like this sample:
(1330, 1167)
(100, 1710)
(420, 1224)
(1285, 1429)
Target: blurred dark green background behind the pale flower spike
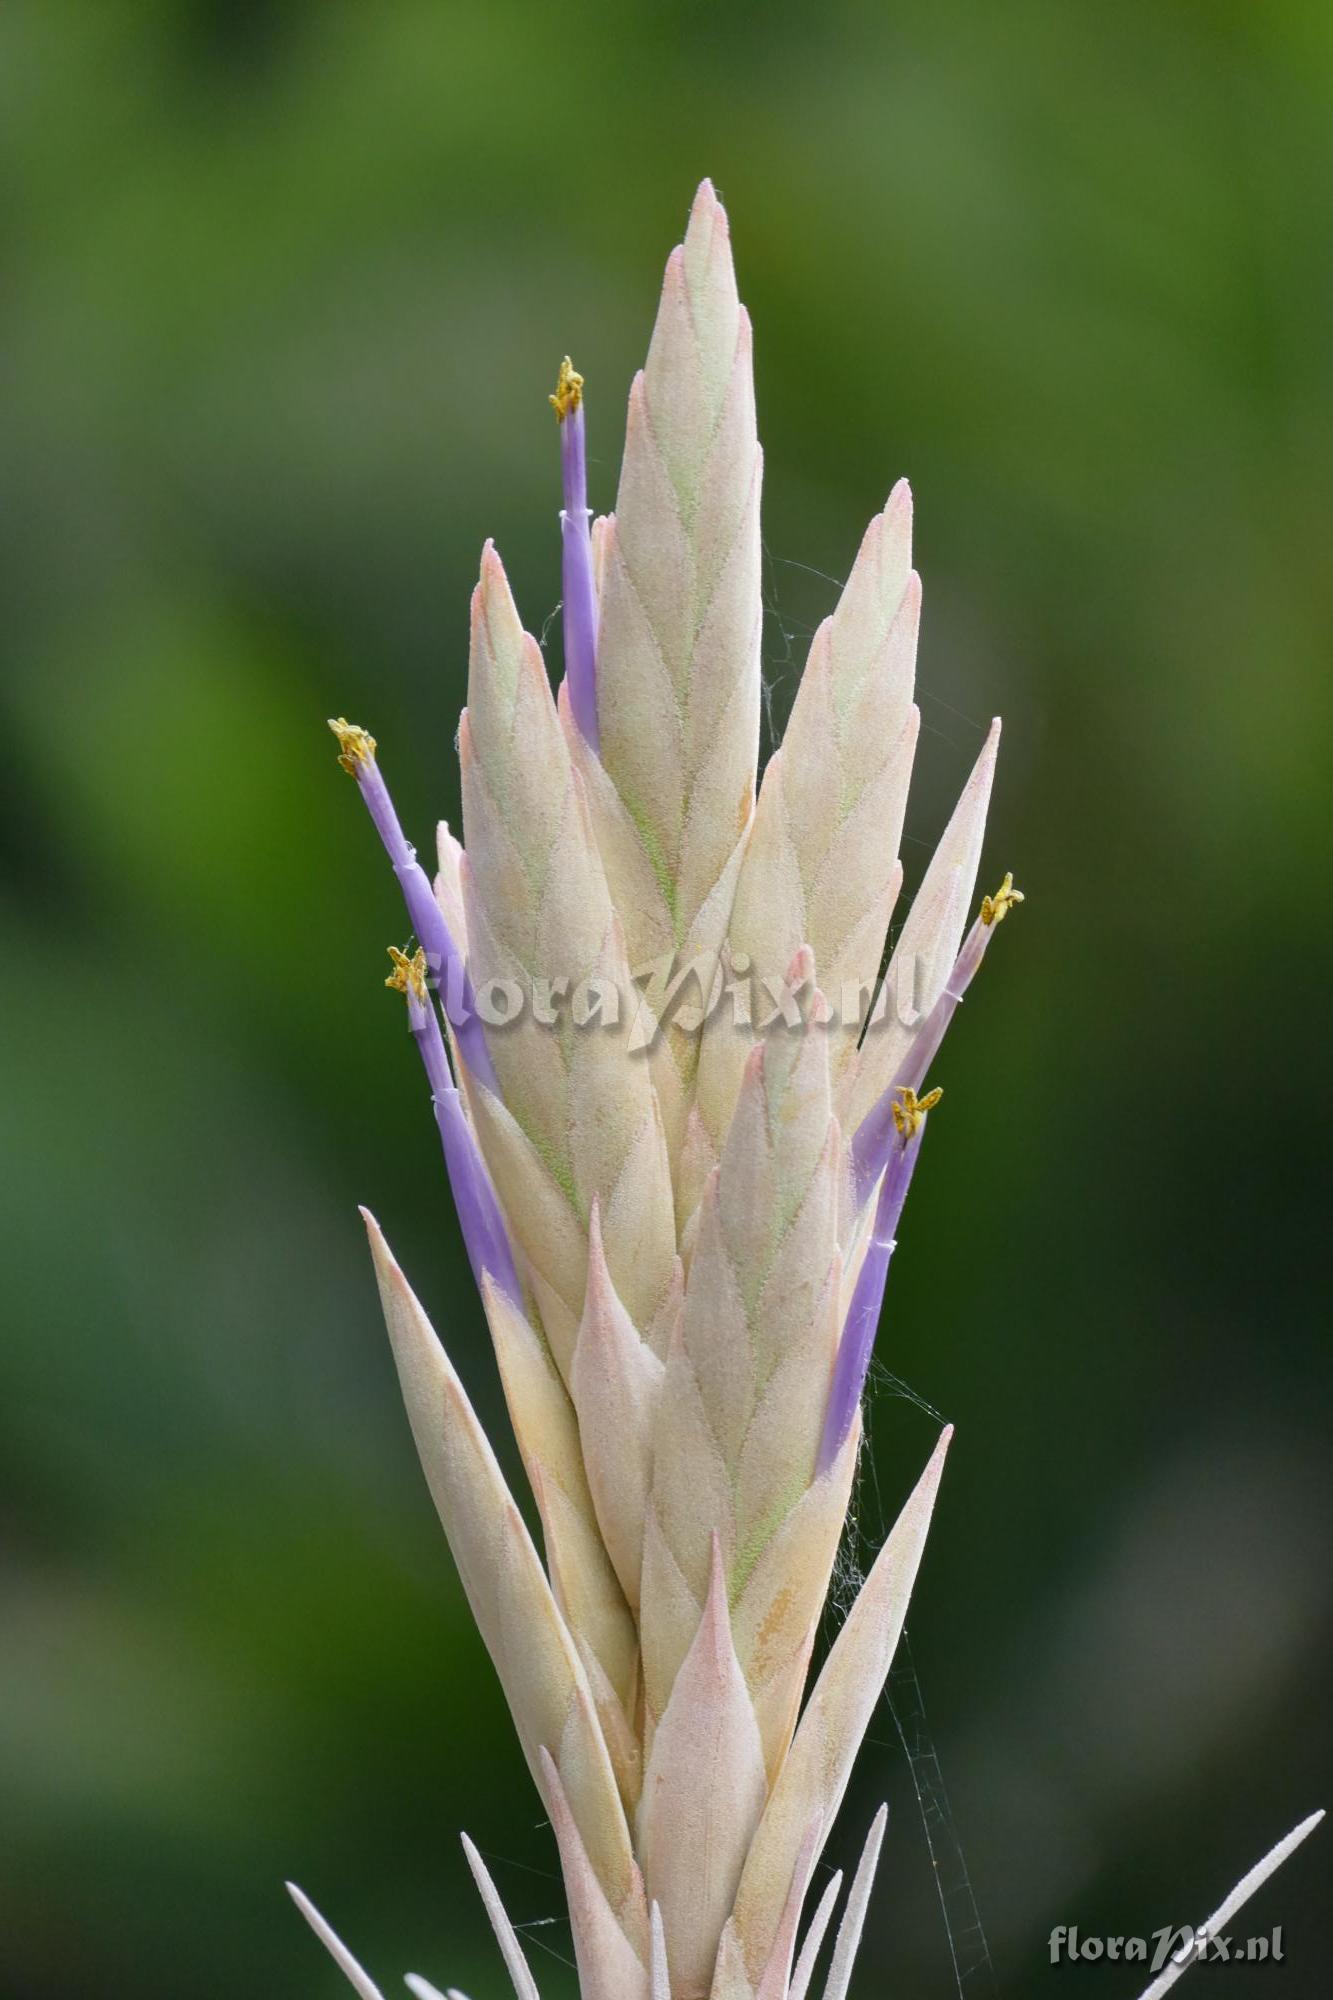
(285, 287)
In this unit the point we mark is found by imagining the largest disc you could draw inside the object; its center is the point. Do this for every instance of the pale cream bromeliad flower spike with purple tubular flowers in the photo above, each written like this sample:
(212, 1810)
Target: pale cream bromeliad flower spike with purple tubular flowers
(682, 1101)
